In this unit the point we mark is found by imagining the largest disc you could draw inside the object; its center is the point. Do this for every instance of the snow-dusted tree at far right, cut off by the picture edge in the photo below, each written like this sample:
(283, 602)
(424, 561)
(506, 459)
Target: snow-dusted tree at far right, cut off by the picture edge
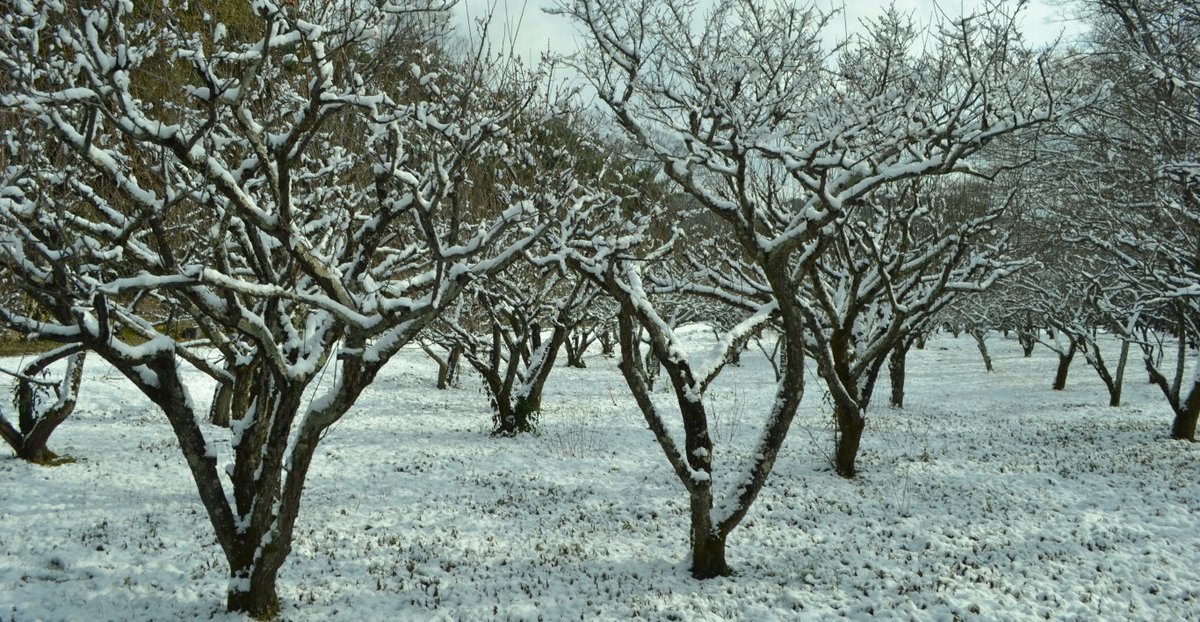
(1132, 170)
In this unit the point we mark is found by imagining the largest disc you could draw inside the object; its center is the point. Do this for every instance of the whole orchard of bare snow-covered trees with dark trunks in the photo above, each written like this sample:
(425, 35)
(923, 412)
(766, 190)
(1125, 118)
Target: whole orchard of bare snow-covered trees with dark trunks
(266, 190)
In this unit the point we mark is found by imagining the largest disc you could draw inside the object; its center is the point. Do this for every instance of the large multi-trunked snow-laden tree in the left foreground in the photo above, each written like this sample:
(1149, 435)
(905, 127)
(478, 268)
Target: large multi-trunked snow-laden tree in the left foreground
(297, 205)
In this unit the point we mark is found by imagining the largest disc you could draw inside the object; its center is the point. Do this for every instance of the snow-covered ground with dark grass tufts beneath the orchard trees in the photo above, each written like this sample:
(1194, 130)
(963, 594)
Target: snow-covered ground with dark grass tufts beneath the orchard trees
(989, 498)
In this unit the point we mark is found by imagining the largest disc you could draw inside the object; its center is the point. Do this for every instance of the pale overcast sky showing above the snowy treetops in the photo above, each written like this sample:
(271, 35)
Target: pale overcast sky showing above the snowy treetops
(537, 32)
